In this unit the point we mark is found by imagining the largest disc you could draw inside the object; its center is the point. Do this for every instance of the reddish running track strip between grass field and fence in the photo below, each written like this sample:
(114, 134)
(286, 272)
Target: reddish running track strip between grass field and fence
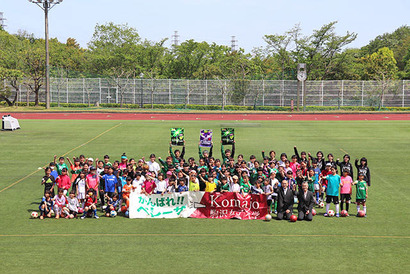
(211, 116)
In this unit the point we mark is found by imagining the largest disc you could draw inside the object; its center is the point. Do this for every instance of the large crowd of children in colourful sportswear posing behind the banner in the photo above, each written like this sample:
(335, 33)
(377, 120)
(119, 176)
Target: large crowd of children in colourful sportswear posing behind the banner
(94, 183)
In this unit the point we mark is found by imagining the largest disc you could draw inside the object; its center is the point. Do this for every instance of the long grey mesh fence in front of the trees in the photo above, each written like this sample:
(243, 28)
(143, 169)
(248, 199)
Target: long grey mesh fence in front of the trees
(225, 92)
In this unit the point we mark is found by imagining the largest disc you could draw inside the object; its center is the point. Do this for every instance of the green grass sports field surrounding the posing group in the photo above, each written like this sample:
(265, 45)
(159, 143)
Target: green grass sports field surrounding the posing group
(376, 244)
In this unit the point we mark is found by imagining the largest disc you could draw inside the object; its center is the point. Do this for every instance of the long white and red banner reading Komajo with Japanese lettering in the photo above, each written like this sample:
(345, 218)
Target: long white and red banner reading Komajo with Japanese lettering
(198, 205)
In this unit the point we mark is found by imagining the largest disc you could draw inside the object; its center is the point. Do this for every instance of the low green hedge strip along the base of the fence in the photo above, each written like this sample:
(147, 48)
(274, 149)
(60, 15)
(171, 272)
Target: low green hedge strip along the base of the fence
(217, 107)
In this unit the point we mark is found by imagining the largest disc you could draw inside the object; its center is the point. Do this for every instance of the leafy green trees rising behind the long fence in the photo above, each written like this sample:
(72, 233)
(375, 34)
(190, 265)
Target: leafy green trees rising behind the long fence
(117, 51)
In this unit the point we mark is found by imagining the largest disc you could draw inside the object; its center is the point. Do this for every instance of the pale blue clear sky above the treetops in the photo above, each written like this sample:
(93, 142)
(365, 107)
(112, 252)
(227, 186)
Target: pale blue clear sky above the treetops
(210, 20)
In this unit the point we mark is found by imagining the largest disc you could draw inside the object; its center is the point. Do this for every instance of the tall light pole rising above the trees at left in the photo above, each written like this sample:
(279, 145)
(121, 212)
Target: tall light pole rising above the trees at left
(46, 5)
